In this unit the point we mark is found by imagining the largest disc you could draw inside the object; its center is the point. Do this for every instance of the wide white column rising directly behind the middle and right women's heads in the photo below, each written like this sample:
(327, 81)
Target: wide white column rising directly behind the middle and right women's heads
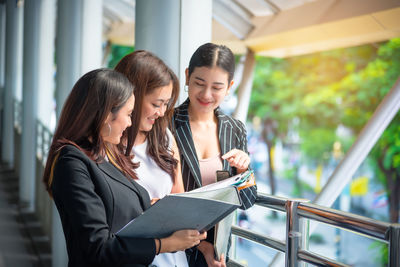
(173, 29)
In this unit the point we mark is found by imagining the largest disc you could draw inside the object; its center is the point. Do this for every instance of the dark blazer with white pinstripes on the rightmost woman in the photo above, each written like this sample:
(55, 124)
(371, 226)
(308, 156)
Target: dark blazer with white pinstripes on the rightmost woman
(231, 134)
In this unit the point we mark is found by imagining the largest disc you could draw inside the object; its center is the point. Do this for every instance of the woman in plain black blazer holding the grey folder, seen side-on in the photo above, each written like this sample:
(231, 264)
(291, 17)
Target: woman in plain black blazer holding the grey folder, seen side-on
(93, 185)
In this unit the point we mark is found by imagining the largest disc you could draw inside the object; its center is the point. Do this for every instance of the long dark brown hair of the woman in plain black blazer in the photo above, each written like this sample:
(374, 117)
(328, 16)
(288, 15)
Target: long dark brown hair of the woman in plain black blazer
(93, 97)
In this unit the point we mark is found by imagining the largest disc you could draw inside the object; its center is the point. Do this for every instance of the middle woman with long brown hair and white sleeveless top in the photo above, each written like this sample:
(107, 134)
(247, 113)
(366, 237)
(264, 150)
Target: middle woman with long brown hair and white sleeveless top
(152, 144)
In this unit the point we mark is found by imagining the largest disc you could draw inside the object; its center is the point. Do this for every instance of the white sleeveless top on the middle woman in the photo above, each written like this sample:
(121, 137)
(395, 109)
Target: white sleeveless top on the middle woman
(158, 184)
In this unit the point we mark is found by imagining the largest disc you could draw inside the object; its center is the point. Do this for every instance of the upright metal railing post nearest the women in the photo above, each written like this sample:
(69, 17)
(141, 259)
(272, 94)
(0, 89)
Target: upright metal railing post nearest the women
(294, 230)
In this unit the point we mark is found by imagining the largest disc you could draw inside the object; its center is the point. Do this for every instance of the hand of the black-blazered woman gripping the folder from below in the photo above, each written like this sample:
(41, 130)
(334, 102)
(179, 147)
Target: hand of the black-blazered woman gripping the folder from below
(181, 240)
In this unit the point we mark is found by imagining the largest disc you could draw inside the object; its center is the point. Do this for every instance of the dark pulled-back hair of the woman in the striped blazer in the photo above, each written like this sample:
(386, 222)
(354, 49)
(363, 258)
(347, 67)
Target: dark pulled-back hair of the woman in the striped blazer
(210, 55)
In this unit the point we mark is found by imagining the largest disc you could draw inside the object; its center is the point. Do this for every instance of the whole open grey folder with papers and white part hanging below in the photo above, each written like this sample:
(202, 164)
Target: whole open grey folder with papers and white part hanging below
(199, 209)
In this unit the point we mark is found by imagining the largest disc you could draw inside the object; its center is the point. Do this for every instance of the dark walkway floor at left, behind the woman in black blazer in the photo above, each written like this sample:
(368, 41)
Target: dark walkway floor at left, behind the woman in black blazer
(17, 230)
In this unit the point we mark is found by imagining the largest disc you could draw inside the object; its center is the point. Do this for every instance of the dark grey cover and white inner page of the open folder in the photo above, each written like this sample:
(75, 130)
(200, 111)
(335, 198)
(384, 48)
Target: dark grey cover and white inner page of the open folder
(197, 209)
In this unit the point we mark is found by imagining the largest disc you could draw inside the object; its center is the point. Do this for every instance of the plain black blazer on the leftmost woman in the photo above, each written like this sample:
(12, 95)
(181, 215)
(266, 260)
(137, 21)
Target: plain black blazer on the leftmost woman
(94, 201)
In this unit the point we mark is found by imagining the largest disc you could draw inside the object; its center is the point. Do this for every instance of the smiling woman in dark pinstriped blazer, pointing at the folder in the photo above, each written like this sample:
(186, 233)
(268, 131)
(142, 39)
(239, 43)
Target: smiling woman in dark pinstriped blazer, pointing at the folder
(209, 140)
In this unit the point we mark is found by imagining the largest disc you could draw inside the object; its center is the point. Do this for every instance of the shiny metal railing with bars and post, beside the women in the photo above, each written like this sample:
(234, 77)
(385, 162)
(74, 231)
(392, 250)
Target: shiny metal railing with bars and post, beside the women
(297, 209)
